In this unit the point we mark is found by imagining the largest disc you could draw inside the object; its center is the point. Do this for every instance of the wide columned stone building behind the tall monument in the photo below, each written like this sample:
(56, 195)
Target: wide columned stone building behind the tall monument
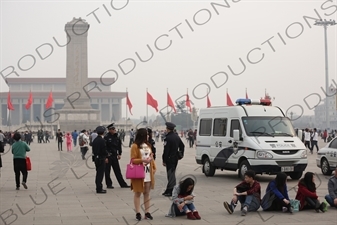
(109, 103)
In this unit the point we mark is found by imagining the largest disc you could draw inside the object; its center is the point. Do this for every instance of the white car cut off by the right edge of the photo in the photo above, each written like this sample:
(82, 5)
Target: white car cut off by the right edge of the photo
(327, 157)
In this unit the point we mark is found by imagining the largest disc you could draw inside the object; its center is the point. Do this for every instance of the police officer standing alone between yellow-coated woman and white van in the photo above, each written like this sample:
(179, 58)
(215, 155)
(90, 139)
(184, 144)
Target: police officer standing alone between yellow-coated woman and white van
(172, 145)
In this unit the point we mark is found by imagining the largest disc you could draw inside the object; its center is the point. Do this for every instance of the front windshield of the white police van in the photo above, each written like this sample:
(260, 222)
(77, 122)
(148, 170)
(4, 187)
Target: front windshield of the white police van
(268, 126)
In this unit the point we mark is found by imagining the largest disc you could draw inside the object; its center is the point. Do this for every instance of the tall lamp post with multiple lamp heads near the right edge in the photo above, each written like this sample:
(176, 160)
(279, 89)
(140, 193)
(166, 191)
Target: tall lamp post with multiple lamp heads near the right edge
(325, 24)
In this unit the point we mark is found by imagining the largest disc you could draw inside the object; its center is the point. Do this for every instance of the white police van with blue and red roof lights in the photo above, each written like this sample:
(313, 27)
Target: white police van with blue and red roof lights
(251, 135)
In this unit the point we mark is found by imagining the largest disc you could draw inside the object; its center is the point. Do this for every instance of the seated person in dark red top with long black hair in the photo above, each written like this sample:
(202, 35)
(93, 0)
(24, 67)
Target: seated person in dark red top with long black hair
(306, 193)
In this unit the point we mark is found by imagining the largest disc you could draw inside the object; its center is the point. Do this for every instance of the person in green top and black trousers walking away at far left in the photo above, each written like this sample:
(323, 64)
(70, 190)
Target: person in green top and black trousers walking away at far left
(19, 149)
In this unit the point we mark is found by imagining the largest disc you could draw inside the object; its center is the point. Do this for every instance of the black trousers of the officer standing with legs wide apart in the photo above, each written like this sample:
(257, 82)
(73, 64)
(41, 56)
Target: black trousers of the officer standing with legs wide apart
(114, 163)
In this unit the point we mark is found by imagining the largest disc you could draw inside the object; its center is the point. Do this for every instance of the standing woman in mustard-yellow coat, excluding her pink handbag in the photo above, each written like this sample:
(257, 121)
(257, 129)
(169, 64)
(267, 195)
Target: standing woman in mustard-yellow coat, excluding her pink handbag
(141, 153)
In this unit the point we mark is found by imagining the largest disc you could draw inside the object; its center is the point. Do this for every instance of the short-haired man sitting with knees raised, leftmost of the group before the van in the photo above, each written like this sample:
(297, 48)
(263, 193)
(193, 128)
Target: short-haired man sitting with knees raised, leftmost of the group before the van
(248, 193)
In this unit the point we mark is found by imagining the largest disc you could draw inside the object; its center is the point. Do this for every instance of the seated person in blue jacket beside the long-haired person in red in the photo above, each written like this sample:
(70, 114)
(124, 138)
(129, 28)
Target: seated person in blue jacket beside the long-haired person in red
(278, 197)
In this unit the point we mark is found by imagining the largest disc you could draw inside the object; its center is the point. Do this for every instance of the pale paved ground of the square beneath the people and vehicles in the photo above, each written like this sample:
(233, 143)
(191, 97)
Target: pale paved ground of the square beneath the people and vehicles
(61, 190)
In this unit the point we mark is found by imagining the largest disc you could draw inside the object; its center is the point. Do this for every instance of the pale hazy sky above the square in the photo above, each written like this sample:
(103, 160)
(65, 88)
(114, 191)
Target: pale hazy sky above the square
(293, 64)
